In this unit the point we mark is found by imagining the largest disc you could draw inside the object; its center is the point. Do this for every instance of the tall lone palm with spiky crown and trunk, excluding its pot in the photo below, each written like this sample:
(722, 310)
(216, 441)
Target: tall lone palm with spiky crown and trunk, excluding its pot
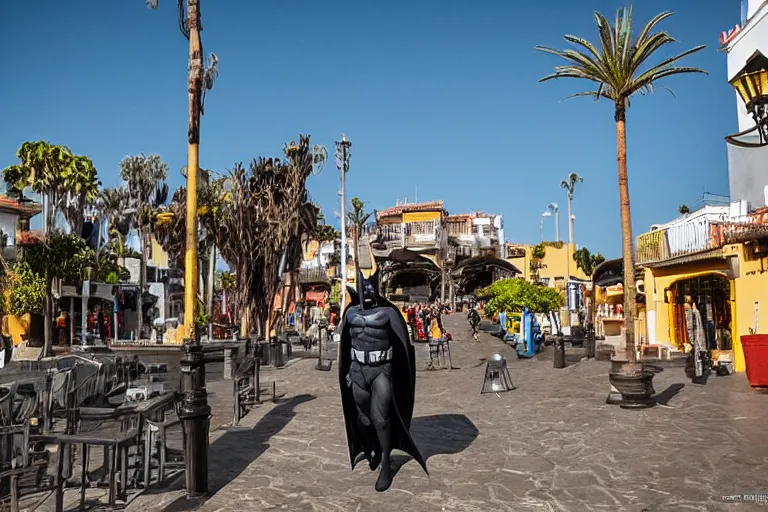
(619, 70)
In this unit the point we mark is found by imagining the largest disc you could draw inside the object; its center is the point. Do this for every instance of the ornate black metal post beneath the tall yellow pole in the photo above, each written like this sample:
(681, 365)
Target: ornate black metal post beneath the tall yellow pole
(195, 415)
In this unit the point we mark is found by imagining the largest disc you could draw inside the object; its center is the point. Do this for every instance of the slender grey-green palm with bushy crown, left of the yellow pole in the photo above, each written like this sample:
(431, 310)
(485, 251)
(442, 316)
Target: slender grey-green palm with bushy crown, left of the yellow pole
(144, 177)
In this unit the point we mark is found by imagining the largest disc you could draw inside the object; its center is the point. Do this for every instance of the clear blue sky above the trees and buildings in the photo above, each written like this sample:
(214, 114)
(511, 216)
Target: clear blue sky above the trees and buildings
(439, 95)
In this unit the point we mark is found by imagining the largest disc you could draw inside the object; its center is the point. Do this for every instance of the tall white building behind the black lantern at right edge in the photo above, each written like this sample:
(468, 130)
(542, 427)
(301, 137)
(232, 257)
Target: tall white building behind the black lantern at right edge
(747, 169)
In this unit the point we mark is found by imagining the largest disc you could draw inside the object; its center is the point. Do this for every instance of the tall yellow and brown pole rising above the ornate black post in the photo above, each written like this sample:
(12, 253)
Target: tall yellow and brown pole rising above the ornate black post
(195, 91)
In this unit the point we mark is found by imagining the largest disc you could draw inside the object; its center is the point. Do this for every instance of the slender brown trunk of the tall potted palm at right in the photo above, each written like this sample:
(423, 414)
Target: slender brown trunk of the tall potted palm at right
(630, 305)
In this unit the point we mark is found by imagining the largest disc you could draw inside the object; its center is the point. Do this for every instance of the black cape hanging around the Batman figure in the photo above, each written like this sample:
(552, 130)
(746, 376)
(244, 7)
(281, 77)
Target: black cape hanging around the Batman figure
(403, 383)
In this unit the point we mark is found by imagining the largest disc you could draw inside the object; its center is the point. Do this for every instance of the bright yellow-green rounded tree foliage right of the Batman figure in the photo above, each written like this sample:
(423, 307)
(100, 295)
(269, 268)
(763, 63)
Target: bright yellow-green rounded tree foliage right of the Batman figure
(517, 293)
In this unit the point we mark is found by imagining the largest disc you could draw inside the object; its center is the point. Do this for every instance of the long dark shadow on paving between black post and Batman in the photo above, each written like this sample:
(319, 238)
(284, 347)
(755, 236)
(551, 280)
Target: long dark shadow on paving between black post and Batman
(234, 451)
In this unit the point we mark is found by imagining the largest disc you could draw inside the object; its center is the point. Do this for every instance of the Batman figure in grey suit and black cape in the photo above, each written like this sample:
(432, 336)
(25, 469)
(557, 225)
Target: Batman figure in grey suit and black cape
(377, 375)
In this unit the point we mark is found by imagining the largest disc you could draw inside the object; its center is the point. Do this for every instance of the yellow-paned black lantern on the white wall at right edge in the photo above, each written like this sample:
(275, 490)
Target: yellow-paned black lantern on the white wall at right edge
(752, 85)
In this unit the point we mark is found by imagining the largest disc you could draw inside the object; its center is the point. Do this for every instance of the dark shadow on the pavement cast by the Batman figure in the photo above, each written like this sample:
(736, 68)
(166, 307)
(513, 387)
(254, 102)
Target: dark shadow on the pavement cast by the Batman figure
(440, 434)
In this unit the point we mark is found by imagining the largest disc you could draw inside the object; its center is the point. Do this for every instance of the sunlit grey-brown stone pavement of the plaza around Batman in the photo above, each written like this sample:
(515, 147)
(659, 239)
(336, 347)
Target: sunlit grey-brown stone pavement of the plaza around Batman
(552, 444)
